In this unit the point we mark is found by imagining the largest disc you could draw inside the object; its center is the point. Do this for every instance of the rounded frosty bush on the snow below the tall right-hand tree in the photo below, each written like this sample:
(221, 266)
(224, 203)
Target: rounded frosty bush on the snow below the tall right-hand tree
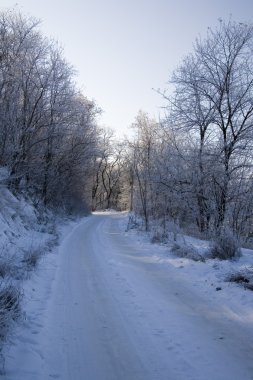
(225, 246)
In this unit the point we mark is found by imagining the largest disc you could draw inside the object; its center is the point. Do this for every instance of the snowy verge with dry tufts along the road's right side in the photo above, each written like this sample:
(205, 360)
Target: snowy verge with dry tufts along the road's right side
(212, 278)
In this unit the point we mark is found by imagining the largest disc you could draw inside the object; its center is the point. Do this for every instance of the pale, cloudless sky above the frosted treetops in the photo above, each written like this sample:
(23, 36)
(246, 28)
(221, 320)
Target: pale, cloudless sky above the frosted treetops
(122, 49)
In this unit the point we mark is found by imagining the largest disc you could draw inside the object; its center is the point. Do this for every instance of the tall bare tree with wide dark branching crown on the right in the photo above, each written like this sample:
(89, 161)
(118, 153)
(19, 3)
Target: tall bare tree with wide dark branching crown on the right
(213, 102)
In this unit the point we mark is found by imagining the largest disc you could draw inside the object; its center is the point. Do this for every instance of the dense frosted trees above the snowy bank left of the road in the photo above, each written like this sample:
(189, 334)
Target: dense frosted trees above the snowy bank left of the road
(48, 128)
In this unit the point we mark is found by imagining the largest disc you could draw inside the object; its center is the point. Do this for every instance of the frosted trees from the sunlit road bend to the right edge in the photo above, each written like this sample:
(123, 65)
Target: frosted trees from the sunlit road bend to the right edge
(191, 171)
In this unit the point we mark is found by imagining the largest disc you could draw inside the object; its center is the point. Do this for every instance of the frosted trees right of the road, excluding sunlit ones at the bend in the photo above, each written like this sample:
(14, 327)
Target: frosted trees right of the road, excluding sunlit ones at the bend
(200, 168)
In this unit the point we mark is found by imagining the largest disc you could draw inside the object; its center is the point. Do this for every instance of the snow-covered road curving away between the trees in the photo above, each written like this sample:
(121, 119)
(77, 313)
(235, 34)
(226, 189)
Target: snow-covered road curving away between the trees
(116, 314)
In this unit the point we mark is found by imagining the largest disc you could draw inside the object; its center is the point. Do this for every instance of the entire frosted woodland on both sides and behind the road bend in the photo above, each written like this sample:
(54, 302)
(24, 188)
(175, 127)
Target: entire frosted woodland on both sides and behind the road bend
(191, 169)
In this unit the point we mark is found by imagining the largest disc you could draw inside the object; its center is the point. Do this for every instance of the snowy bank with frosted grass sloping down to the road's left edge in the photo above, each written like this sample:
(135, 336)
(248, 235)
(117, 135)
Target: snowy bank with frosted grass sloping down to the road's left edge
(25, 237)
